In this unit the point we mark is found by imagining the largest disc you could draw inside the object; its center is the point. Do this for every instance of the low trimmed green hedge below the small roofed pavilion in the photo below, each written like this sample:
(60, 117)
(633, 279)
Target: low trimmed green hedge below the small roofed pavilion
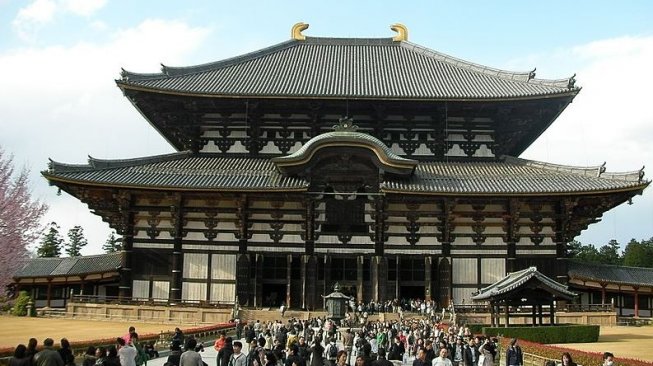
(548, 334)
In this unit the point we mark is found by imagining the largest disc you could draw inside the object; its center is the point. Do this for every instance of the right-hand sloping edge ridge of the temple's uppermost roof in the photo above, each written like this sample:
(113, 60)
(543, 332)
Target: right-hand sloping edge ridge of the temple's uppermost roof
(521, 76)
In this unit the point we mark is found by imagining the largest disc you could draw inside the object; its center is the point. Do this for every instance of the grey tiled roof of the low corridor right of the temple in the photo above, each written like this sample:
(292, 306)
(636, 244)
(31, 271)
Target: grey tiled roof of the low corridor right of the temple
(610, 273)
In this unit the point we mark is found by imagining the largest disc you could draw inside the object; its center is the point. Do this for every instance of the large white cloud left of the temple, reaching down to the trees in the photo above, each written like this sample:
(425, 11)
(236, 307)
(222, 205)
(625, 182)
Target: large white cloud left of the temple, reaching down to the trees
(62, 102)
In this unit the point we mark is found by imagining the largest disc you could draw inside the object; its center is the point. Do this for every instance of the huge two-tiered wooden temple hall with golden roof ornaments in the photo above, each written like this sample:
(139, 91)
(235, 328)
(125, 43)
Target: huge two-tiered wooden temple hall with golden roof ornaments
(380, 164)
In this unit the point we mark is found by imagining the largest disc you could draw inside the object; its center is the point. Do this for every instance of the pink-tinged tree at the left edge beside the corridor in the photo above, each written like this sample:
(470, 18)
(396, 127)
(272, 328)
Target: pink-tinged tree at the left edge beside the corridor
(19, 217)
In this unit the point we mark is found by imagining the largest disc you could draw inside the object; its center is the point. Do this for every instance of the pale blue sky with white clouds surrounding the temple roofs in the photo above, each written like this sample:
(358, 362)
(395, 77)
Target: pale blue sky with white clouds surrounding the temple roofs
(59, 59)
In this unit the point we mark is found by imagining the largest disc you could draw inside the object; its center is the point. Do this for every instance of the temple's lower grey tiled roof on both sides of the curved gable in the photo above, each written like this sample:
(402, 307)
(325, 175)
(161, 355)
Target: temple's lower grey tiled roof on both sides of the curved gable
(212, 172)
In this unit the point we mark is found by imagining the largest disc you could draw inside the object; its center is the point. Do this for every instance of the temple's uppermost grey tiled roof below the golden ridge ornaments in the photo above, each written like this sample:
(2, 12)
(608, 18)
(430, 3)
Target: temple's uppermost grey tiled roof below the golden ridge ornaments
(348, 68)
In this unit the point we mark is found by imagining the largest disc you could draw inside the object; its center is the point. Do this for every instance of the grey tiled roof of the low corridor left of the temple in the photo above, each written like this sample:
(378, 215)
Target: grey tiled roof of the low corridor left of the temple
(69, 266)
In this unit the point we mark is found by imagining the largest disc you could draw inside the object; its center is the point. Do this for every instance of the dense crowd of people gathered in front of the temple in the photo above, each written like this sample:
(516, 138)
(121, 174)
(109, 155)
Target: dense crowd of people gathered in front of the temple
(294, 342)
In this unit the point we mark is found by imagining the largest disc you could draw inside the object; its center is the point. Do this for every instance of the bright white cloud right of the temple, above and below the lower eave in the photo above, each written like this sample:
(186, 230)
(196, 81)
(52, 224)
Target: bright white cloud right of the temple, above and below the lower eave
(609, 121)
